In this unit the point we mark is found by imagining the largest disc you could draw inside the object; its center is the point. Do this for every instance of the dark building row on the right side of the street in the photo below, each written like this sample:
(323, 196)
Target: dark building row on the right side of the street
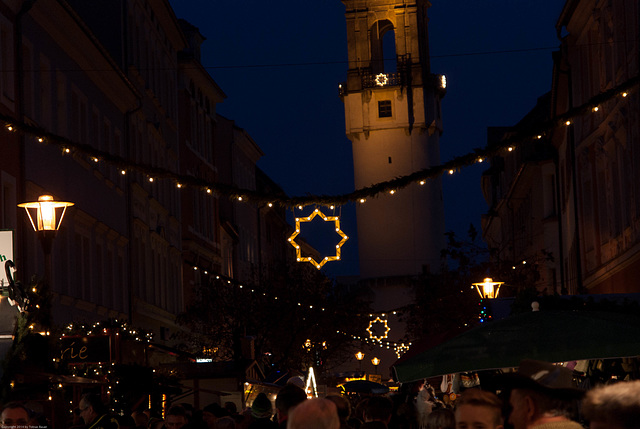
(574, 206)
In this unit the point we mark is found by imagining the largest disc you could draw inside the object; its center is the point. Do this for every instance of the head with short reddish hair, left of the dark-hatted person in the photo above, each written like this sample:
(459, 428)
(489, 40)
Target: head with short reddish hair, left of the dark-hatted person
(478, 408)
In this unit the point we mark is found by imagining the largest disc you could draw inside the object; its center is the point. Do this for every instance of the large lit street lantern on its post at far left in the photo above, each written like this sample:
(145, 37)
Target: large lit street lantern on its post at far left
(48, 215)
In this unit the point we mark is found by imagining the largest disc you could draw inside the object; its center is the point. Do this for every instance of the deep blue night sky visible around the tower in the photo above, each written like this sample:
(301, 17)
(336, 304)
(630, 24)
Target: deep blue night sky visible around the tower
(280, 63)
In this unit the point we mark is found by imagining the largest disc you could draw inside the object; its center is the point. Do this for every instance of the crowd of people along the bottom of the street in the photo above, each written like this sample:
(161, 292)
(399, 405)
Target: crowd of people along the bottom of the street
(539, 395)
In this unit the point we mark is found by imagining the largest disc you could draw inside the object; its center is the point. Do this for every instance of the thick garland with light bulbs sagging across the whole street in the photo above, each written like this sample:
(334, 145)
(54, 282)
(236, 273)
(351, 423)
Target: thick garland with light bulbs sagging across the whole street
(360, 195)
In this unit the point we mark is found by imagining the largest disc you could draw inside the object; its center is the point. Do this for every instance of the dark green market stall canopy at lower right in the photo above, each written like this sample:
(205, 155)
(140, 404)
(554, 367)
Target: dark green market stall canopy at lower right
(552, 336)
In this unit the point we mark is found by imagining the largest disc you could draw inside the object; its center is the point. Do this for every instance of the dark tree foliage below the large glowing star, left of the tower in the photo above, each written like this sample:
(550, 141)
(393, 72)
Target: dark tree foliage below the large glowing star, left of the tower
(280, 315)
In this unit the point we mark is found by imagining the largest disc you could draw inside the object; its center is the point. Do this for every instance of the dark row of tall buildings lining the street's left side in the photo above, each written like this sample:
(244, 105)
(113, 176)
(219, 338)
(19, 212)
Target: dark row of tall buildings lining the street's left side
(125, 111)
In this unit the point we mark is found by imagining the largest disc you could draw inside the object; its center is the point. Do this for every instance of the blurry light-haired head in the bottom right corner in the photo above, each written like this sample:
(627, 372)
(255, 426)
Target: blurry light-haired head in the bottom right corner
(616, 406)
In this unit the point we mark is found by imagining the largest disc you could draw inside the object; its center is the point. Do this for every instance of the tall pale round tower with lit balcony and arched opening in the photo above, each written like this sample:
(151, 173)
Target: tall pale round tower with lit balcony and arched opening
(392, 113)
